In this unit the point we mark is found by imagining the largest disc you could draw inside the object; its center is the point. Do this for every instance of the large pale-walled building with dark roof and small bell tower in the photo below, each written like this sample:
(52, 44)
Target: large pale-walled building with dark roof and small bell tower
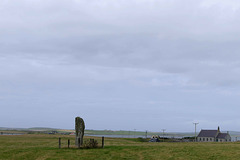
(213, 136)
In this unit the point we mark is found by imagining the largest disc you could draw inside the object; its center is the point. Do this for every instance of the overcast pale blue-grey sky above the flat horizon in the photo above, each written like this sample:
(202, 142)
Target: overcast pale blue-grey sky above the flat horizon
(120, 65)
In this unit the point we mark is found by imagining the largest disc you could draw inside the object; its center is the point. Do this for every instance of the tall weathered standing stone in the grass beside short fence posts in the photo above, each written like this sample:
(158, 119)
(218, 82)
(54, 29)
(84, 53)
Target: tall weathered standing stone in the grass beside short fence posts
(79, 129)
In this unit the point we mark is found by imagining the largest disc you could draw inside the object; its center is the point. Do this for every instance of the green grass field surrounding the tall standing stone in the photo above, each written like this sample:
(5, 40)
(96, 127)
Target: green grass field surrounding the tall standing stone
(40, 146)
